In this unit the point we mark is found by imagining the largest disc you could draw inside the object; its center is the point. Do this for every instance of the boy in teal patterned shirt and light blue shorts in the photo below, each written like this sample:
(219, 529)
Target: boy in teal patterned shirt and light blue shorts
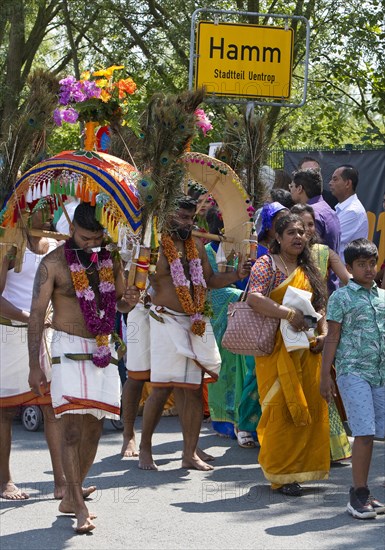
(356, 343)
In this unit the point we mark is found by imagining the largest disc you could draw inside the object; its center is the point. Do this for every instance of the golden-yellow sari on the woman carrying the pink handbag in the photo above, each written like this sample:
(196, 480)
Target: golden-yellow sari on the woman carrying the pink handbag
(294, 427)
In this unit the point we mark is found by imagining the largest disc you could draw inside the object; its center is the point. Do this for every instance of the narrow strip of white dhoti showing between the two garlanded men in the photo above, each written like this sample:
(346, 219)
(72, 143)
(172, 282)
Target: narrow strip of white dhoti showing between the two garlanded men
(138, 343)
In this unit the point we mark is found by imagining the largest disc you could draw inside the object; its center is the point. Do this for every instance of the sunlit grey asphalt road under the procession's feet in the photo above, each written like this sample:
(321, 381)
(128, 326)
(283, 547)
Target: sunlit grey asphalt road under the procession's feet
(230, 507)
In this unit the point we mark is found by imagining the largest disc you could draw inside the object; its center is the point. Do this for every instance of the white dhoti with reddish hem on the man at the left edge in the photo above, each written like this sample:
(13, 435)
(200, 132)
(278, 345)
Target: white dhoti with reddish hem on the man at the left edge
(14, 366)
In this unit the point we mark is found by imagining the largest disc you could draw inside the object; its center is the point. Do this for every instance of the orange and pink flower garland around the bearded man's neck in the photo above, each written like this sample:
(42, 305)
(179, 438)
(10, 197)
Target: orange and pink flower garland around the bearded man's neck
(193, 307)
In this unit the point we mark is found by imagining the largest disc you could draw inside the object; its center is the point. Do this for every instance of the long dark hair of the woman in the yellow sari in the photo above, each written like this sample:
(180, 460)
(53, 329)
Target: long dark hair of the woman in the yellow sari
(305, 261)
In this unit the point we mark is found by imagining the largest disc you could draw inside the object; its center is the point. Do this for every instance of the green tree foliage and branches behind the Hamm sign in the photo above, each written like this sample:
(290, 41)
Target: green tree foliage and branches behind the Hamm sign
(346, 97)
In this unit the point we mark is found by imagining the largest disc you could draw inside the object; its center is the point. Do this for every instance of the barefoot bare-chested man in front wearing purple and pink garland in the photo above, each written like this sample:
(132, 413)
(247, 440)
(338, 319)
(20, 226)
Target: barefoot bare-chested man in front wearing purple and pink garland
(85, 385)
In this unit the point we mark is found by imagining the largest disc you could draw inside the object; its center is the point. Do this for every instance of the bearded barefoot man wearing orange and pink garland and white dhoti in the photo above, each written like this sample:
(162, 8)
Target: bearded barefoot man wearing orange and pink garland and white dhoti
(183, 347)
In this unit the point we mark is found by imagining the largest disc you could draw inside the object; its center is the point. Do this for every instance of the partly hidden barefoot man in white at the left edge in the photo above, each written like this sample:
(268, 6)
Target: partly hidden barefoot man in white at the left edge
(15, 301)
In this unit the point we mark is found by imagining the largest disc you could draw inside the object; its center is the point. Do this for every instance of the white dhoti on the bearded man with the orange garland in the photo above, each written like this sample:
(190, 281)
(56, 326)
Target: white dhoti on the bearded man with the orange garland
(178, 357)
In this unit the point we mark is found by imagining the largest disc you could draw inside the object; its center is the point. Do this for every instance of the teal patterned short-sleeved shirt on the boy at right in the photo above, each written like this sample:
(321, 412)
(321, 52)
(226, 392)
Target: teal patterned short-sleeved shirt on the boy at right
(361, 349)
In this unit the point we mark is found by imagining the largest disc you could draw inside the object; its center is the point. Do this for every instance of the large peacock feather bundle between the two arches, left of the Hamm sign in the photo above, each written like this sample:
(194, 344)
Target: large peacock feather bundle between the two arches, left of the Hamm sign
(168, 126)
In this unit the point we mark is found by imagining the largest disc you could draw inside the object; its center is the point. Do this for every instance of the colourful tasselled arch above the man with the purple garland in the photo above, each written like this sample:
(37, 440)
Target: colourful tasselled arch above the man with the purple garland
(104, 181)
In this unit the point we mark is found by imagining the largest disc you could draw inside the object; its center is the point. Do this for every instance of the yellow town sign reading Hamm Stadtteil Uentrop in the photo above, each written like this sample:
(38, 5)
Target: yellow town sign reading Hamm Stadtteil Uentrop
(244, 60)
